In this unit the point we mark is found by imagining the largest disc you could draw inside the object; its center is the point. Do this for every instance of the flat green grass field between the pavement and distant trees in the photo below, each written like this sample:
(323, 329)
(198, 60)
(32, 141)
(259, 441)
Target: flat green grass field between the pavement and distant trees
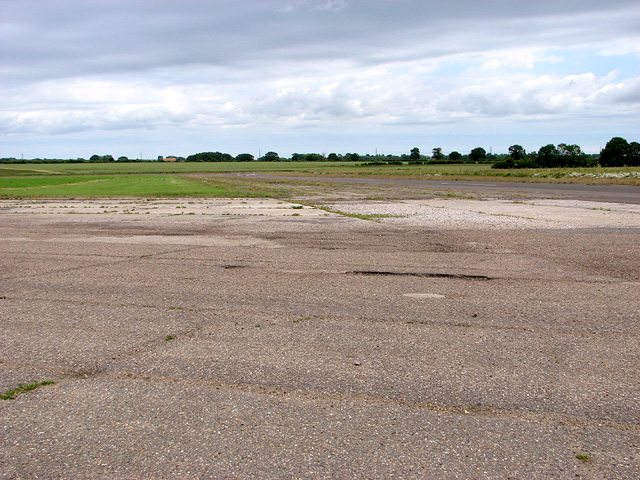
(159, 179)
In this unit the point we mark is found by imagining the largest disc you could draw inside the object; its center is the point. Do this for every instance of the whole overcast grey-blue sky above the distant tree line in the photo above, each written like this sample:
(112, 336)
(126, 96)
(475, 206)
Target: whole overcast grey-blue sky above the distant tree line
(176, 77)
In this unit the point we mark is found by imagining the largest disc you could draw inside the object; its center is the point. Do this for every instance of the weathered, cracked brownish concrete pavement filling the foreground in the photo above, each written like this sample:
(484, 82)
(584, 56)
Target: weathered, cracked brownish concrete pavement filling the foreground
(257, 339)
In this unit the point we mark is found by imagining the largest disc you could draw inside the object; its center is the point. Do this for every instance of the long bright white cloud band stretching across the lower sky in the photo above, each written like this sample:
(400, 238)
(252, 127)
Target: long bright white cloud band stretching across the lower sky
(368, 98)
